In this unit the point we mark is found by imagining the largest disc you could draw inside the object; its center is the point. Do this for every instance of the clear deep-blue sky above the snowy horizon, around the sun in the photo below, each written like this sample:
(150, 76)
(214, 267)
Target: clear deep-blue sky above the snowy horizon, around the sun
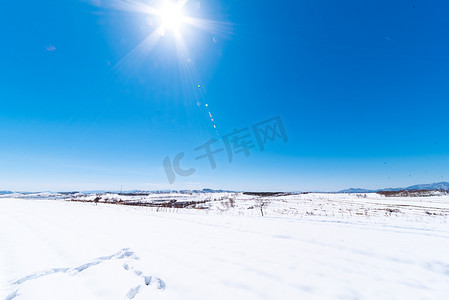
(361, 88)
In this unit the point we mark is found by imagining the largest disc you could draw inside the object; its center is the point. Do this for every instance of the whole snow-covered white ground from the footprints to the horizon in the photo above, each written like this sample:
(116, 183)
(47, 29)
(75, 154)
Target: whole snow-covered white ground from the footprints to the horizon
(305, 246)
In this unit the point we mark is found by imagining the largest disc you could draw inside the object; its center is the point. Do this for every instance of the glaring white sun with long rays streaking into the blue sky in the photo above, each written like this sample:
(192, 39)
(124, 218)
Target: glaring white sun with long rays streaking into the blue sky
(172, 19)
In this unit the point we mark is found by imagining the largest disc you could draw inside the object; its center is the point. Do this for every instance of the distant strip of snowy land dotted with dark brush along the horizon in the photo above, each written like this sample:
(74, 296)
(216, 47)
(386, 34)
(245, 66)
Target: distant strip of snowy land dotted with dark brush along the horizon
(365, 205)
